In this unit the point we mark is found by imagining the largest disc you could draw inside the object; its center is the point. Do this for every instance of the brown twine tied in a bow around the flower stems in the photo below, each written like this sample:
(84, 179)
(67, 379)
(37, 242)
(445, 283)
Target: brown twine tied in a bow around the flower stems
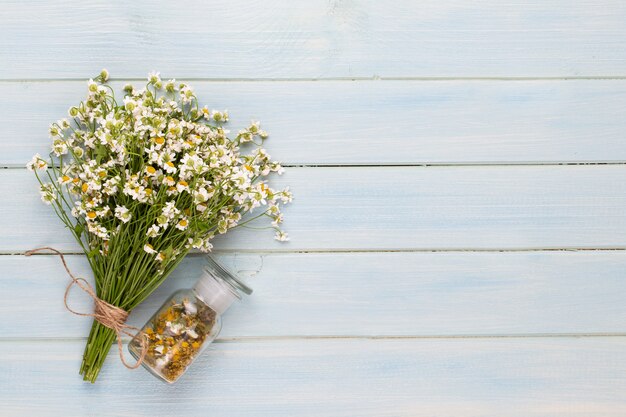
(105, 313)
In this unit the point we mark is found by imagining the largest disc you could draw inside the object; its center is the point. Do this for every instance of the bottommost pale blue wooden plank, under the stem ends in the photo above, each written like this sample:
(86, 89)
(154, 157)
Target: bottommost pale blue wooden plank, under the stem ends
(475, 378)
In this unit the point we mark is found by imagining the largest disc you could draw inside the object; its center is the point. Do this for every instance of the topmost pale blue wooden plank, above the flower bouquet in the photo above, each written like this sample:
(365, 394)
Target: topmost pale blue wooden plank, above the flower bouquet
(314, 39)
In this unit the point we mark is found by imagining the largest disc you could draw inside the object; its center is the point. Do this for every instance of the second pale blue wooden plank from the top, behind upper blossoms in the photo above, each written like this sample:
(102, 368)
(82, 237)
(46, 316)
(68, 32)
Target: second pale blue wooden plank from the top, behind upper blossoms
(381, 122)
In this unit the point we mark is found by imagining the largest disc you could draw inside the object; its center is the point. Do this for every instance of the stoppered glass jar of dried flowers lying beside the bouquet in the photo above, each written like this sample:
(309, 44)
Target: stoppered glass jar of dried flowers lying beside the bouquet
(187, 323)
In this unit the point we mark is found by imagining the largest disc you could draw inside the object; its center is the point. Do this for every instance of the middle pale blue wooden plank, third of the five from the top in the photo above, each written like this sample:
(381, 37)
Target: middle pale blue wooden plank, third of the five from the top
(397, 208)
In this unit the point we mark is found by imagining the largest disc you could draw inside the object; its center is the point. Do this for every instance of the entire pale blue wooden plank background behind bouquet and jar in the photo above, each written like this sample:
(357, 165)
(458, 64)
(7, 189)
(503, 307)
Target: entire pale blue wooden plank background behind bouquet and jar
(459, 229)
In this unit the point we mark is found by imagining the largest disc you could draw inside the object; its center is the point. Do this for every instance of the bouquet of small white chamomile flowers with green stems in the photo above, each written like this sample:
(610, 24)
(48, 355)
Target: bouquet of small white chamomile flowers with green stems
(141, 183)
